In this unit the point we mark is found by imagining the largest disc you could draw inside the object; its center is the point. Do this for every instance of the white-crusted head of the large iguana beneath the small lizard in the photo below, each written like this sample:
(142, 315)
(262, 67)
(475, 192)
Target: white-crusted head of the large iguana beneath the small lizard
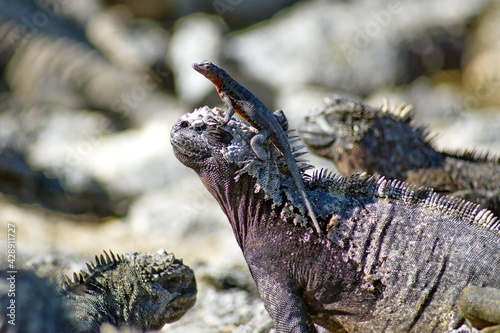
(223, 157)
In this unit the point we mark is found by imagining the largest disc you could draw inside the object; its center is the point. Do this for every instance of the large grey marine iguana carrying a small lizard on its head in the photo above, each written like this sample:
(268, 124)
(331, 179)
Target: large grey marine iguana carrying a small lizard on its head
(390, 257)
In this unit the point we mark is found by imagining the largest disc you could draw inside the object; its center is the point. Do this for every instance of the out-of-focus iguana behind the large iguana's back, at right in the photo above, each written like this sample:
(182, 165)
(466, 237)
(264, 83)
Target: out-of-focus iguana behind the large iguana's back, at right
(385, 141)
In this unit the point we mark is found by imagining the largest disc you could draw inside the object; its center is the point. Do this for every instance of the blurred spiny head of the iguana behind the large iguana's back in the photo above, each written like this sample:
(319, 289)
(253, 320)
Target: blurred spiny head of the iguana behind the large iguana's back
(357, 138)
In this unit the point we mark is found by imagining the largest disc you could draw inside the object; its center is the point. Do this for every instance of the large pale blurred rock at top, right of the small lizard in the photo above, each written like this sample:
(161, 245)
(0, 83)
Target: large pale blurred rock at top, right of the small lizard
(353, 47)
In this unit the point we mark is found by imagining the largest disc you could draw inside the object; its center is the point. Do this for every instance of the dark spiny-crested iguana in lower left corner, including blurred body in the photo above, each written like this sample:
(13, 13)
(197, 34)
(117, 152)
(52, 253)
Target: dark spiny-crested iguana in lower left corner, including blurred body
(142, 291)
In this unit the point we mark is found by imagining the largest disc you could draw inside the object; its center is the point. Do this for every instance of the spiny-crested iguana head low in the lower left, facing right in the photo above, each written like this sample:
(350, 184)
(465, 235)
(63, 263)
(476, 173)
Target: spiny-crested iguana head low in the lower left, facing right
(143, 290)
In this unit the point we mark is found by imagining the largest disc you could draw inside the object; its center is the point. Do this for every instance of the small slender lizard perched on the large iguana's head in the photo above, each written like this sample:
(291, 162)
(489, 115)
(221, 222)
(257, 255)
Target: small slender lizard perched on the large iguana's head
(270, 126)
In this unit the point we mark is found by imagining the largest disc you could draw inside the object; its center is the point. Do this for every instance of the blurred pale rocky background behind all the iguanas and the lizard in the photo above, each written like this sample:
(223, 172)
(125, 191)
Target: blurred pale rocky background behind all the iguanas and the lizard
(89, 90)
